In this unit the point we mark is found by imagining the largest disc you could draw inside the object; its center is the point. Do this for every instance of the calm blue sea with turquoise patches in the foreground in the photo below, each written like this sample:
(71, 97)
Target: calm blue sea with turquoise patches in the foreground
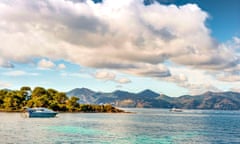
(142, 126)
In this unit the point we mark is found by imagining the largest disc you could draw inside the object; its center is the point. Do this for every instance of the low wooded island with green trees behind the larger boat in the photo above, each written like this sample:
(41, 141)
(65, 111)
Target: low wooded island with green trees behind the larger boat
(17, 100)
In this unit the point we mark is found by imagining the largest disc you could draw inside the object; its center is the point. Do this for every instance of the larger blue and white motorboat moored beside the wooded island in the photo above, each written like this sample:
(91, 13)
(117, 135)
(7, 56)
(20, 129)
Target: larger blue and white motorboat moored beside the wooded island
(39, 112)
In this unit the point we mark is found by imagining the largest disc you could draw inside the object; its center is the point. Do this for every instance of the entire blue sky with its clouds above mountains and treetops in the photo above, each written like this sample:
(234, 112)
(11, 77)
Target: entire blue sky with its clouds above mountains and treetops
(174, 47)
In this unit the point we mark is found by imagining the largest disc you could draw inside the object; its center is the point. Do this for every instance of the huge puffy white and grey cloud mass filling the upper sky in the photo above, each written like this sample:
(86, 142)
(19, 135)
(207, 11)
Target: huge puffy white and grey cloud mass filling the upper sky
(124, 35)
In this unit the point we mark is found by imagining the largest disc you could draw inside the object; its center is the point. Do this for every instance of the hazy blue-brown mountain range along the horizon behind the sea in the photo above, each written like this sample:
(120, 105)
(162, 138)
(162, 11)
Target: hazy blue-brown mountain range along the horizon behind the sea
(150, 99)
